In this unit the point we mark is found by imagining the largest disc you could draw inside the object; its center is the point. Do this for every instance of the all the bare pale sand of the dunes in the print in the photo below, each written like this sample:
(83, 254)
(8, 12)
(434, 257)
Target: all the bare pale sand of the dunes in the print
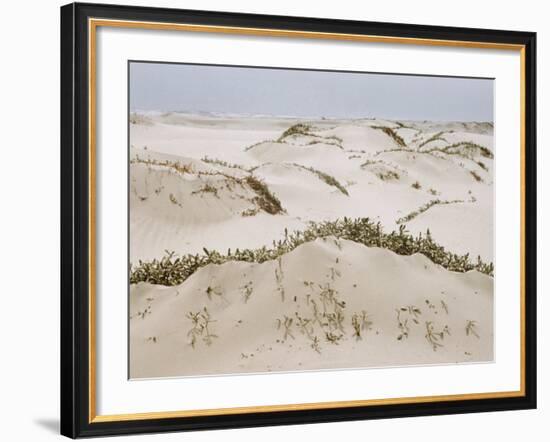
(171, 211)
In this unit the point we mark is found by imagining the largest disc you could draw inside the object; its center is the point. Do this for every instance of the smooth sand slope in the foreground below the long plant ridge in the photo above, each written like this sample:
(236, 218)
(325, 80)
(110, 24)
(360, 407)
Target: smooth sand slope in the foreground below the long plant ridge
(250, 338)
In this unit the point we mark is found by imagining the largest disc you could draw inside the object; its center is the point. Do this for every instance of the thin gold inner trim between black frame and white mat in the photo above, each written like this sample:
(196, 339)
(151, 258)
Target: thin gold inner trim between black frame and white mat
(93, 24)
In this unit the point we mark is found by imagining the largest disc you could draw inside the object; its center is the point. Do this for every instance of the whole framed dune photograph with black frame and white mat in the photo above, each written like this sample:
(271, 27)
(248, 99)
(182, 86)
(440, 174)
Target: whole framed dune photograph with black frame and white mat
(279, 220)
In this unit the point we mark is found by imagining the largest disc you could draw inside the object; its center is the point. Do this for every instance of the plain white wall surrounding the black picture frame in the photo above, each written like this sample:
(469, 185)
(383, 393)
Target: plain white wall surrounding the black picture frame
(29, 227)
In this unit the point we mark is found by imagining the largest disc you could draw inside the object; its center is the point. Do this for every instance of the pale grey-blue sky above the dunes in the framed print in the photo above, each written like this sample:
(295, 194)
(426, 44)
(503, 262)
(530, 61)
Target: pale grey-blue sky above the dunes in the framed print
(306, 93)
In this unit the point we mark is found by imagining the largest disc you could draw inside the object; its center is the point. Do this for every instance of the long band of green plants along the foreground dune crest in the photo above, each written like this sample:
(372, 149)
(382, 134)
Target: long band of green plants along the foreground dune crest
(173, 270)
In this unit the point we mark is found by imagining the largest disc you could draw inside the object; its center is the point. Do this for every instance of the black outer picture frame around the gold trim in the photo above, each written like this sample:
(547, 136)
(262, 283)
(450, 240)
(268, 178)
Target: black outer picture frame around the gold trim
(76, 403)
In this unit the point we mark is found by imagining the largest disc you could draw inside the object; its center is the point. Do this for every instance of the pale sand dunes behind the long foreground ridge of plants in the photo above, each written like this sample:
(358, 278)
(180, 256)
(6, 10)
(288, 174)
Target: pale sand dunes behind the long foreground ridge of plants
(364, 159)
